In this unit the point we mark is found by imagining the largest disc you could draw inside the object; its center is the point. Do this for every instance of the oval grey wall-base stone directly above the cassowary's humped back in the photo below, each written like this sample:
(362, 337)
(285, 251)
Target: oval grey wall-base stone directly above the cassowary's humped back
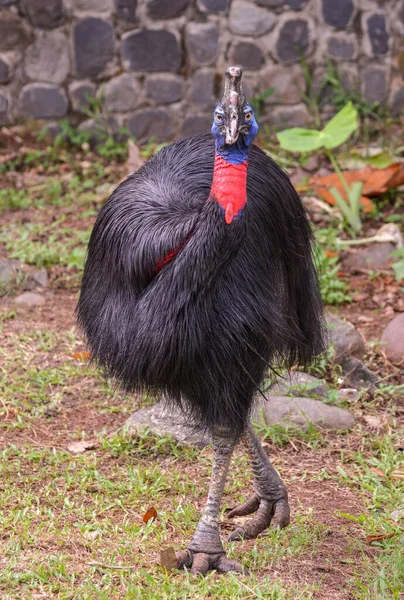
(151, 123)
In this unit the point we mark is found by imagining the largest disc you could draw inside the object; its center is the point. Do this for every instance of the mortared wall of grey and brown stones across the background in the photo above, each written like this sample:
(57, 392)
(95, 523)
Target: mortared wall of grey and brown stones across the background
(159, 63)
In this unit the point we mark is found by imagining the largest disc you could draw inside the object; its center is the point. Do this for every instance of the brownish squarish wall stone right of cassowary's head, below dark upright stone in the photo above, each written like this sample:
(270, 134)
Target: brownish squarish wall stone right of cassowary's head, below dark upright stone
(286, 84)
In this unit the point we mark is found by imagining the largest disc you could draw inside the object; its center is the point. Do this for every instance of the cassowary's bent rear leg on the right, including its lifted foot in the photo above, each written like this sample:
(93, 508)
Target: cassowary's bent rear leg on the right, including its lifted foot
(270, 500)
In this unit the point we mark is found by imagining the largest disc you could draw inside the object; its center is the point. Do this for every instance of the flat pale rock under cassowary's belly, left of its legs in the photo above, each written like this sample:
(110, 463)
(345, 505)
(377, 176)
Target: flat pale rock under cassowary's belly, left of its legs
(163, 420)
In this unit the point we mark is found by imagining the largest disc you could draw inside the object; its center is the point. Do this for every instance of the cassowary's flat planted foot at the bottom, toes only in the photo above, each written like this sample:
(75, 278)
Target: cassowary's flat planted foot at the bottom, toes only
(201, 562)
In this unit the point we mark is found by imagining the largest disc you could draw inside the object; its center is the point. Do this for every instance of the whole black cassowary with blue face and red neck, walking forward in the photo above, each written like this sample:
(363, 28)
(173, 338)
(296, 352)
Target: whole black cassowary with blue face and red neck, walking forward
(199, 277)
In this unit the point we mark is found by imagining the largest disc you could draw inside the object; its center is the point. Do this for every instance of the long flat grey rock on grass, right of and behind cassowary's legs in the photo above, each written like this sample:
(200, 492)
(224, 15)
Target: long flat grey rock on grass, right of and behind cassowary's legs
(300, 412)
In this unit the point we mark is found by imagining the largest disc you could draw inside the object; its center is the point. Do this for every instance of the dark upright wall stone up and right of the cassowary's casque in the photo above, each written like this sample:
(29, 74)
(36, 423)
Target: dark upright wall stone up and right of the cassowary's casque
(293, 40)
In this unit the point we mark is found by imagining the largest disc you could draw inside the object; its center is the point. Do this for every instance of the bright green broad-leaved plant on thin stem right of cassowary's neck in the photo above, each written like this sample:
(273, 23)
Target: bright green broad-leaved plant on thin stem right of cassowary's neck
(335, 133)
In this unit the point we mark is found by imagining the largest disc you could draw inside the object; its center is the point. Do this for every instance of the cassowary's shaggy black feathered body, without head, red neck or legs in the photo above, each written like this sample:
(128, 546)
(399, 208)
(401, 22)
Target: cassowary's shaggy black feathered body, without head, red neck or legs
(175, 299)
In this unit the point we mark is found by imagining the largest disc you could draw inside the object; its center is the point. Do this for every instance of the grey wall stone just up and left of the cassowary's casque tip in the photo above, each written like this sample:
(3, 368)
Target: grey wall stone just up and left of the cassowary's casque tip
(201, 40)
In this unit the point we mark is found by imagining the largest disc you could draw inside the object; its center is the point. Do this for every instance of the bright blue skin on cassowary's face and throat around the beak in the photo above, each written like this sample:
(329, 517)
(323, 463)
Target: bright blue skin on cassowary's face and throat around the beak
(236, 153)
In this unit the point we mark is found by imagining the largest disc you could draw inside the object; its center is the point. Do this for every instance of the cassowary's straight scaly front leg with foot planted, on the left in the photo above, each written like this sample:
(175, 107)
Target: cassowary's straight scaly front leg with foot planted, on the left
(205, 552)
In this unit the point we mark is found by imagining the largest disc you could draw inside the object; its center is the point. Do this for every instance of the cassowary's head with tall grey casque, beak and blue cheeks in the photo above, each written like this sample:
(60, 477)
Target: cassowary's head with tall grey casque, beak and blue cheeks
(233, 118)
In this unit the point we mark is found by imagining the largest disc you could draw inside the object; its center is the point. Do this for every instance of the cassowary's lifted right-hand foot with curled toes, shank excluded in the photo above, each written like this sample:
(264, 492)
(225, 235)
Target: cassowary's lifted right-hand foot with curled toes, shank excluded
(268, 513)
